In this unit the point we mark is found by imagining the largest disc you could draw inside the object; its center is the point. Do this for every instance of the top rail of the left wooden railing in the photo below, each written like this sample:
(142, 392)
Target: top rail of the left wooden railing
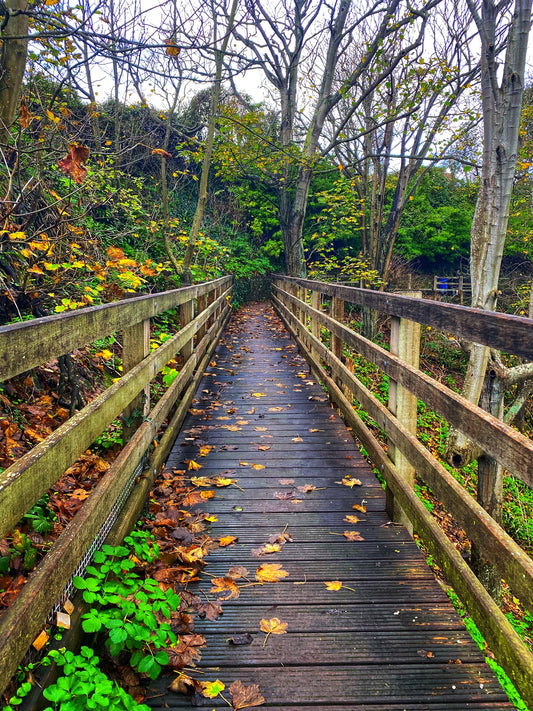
(29, 344)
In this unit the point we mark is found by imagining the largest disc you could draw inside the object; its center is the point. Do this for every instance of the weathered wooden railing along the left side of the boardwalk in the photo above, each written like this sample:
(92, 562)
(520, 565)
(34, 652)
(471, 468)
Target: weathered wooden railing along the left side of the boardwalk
(118, 498)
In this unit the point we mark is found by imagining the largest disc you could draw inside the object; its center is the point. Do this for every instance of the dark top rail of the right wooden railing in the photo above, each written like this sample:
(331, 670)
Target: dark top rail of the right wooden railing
(511, 334)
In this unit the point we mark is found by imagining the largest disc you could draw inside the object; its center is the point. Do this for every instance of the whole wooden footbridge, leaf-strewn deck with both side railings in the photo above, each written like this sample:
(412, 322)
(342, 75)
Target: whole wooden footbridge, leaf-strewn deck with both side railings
(364, 623)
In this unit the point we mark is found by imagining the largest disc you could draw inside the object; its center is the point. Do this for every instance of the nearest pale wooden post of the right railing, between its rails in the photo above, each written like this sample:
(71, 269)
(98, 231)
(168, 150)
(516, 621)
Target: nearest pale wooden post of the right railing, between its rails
(405, 343)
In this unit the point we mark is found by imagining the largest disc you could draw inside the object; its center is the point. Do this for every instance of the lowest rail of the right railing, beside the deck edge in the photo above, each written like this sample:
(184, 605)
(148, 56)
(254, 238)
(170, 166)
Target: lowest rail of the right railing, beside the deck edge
(511, 652)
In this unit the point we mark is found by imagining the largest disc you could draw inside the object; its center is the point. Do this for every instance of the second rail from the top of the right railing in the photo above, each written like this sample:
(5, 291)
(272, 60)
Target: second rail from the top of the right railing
(512, 449)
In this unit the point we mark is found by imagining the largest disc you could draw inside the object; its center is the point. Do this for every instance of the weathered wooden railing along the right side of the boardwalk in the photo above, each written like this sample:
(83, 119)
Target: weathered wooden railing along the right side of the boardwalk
(299, 302)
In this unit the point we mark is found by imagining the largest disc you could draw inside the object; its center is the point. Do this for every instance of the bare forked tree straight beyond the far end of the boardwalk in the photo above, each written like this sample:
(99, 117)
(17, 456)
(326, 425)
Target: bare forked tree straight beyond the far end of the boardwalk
(298, 45)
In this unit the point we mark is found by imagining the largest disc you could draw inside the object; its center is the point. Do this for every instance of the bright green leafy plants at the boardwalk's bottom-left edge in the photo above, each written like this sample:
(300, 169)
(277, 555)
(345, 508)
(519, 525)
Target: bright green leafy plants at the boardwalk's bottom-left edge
(124, 609)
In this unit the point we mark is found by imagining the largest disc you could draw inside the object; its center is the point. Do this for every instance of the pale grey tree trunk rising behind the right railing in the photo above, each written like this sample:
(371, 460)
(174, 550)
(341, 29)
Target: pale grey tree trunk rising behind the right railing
(502, 108)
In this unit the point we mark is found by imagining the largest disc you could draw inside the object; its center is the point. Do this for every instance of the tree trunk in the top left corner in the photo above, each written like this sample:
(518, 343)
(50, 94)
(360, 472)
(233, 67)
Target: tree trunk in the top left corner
(13, 55)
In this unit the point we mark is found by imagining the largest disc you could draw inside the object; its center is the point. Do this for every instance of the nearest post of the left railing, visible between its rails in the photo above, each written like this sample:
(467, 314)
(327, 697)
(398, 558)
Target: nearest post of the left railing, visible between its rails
(135, 347)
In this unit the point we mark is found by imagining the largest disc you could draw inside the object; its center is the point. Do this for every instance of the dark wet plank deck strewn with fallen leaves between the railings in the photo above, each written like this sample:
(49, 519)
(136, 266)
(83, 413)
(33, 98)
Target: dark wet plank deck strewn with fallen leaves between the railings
(389, 638)
